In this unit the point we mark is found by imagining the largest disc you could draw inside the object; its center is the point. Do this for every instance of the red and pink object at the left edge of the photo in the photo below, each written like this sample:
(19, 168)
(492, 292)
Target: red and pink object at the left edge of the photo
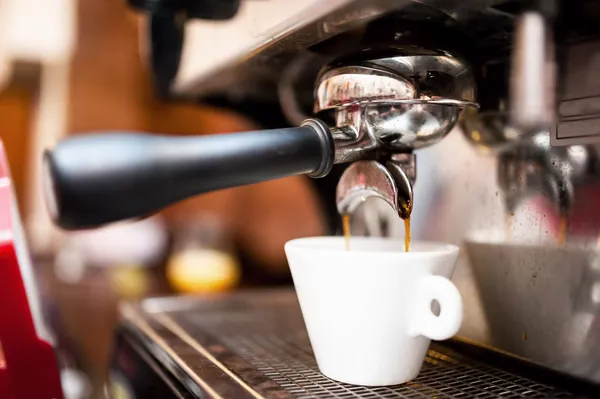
(30, 369)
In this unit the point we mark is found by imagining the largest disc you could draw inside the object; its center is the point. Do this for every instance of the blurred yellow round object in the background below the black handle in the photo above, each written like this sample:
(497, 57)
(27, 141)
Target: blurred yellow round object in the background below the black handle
(202, 270)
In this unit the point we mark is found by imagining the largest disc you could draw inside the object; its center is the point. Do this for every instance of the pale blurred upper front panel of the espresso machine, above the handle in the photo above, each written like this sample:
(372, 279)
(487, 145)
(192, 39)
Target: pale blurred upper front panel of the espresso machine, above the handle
(272, 32)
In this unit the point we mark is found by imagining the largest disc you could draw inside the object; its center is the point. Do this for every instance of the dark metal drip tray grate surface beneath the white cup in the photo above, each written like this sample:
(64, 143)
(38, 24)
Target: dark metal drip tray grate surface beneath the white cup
(269, 350)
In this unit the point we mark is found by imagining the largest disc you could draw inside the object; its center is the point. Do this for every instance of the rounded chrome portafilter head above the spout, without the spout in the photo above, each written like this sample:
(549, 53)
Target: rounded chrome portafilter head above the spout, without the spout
(400, 103)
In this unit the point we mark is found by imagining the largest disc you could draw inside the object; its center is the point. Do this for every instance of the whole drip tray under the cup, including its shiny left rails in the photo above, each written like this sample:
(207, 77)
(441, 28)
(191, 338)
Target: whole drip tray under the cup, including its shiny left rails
(254, 345)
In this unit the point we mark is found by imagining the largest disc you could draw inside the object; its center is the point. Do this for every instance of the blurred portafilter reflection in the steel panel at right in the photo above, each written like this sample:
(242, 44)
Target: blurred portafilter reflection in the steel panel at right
(528, 165)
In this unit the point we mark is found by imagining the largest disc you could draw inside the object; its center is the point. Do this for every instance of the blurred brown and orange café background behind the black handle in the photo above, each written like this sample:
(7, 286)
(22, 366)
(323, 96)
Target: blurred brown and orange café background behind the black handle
(74, 66)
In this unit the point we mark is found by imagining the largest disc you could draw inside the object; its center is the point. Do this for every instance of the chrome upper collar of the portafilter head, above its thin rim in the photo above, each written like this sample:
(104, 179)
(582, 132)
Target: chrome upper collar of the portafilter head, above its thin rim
(425, 76)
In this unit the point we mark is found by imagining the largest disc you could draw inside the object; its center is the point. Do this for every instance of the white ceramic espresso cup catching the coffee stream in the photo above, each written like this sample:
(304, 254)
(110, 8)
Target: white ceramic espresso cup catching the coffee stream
(368, 311)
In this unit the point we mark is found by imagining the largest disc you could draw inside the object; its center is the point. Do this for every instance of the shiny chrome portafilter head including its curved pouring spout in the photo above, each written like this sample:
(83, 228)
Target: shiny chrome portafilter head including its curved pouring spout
(397, 105)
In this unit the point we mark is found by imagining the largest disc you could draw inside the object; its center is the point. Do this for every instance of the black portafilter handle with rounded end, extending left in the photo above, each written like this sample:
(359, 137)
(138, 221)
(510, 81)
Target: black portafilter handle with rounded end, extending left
(96, 179)
